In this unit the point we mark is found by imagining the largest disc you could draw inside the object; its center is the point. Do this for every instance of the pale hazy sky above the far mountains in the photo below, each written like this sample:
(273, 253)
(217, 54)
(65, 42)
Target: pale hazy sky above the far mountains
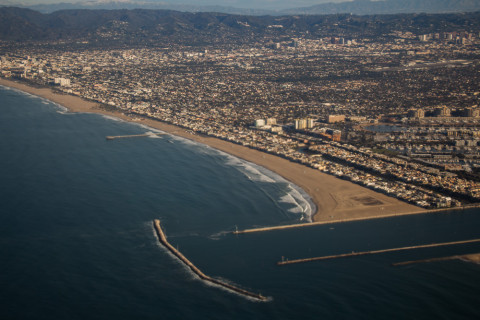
(266, 4)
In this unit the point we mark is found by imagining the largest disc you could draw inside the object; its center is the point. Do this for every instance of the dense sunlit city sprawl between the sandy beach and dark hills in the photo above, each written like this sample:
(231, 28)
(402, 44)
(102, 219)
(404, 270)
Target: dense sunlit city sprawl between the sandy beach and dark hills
(277, 98)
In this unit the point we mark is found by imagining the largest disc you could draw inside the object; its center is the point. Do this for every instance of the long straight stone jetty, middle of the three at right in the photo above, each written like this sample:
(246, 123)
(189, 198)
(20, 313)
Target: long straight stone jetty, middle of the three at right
(362, 253)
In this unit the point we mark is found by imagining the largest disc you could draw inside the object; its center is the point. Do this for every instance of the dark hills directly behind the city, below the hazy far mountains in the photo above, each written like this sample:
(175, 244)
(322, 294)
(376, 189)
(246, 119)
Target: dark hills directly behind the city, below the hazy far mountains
(164, 27)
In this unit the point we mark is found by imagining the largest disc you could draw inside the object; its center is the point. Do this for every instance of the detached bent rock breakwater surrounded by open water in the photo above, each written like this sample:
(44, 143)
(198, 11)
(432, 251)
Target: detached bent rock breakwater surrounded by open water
(163, 240)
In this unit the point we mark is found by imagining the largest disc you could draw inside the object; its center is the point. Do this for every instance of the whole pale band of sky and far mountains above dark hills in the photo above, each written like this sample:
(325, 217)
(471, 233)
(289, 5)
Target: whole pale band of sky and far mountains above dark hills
(260, 7)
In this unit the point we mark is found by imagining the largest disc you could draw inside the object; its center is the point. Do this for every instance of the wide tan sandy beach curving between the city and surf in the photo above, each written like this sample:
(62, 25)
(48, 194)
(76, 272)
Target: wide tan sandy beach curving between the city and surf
(335, 199)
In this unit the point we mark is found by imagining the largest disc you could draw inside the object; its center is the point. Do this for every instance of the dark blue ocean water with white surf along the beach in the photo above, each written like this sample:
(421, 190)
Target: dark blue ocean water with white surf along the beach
(76, 236)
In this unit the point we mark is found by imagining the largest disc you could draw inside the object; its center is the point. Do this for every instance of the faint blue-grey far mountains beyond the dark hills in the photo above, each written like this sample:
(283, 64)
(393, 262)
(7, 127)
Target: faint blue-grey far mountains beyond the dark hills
(358, 7)
